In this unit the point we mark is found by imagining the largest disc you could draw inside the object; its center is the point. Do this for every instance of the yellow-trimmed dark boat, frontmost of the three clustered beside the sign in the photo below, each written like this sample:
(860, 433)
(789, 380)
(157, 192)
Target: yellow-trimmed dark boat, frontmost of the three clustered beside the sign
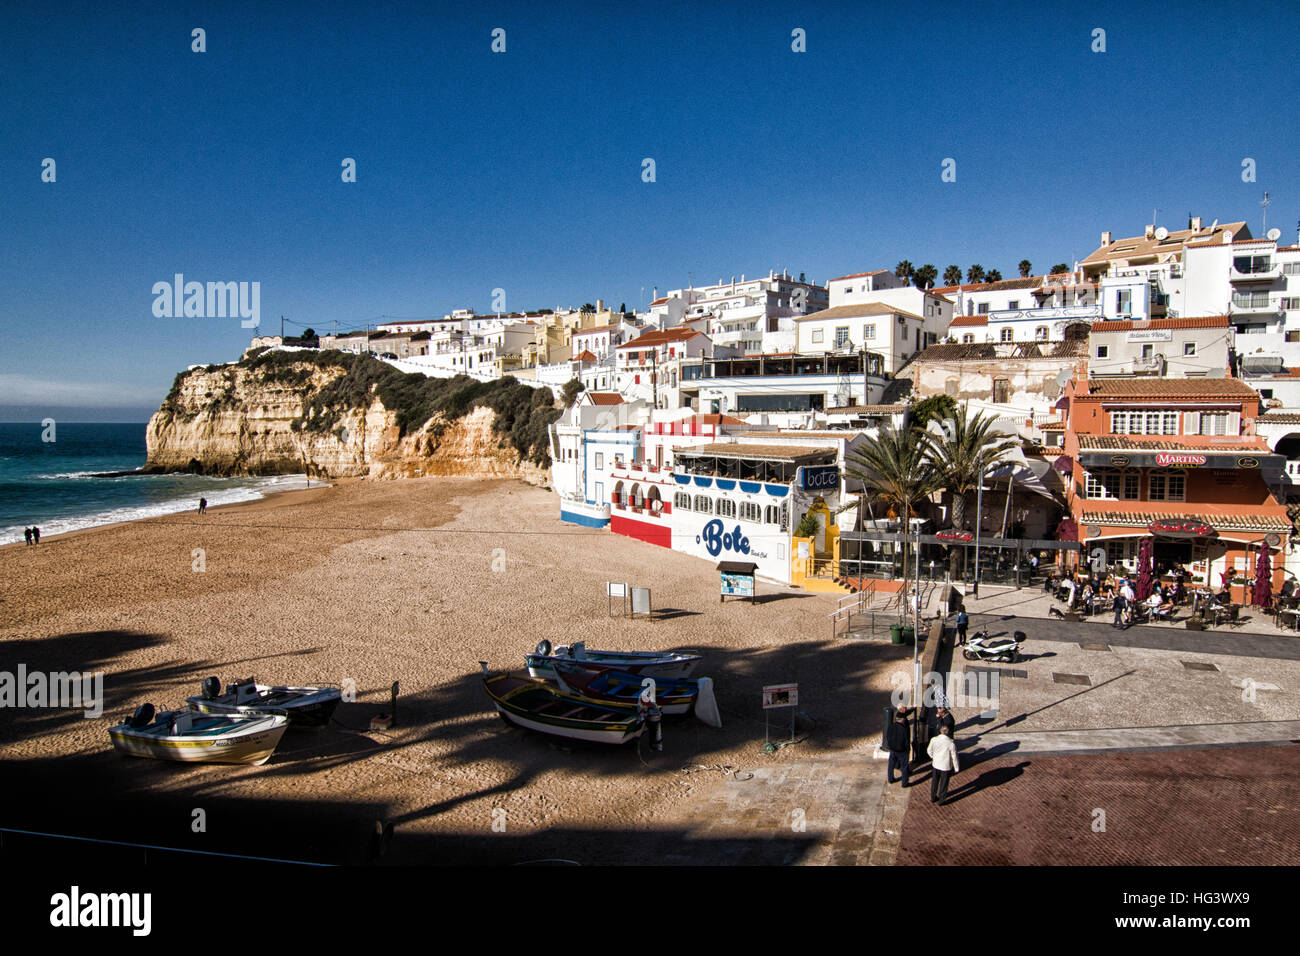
(538, 706)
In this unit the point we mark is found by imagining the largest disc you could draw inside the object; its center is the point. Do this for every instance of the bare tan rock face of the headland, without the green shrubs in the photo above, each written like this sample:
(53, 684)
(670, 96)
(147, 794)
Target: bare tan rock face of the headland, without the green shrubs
(241, 421)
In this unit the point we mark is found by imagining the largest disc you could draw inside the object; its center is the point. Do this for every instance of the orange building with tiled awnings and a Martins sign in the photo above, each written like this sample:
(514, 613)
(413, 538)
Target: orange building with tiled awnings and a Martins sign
(1176, 461)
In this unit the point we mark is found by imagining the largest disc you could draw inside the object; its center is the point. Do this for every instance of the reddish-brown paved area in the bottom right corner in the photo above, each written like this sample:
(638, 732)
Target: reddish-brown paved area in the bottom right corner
(1224, 807)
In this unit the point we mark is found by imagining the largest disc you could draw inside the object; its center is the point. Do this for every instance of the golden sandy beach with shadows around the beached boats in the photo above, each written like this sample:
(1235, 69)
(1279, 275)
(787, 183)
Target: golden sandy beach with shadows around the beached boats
(396, 581)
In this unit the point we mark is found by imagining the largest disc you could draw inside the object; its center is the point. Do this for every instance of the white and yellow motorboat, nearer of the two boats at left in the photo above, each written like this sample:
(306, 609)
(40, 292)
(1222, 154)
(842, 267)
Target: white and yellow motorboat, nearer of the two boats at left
(194, 738)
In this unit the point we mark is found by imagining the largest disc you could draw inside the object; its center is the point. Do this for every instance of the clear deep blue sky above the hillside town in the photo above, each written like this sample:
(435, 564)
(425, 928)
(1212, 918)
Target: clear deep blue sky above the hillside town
(523, 170)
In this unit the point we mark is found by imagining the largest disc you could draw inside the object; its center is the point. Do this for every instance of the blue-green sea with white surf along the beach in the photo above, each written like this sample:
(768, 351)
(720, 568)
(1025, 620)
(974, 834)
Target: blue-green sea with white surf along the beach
(53, 485)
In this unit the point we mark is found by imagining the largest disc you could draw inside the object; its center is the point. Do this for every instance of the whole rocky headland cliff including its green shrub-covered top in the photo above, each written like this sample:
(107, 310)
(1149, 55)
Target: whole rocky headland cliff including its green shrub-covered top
(337, 416)
